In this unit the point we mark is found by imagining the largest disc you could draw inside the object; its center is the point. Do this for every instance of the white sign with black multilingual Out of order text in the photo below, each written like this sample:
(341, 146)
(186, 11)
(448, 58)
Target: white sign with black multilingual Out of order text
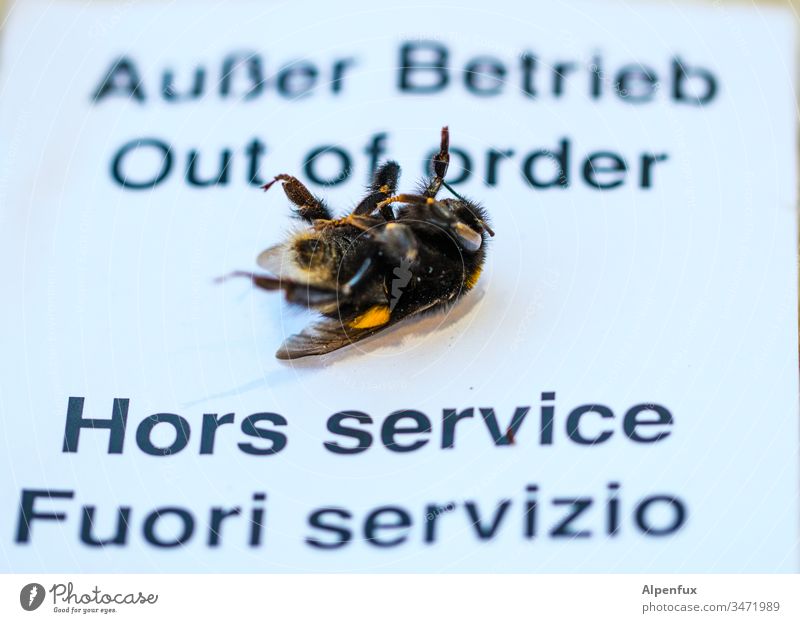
(618, 393)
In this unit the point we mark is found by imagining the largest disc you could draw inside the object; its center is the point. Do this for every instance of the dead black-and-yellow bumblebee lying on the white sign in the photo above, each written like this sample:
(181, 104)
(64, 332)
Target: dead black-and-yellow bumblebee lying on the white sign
(392, 257)
